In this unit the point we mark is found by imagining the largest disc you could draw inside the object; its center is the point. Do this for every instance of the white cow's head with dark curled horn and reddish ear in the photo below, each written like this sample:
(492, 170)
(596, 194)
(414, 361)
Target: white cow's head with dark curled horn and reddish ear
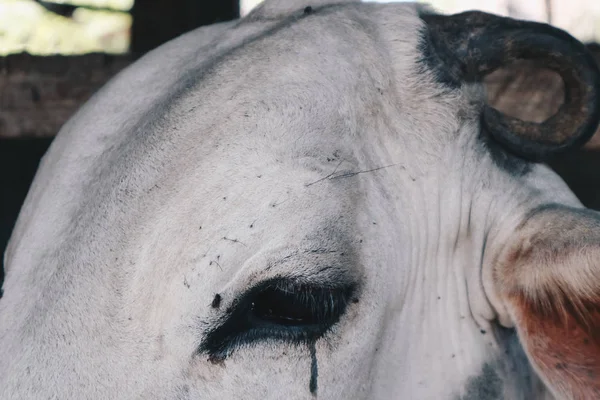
(315, 201)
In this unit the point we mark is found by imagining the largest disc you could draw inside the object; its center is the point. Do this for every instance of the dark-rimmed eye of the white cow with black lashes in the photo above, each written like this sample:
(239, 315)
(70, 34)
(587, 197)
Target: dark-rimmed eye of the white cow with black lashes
(281, 310)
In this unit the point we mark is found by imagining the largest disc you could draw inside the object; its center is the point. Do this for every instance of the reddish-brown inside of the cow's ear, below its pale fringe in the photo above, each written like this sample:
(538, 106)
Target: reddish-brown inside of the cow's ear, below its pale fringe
(563, 345)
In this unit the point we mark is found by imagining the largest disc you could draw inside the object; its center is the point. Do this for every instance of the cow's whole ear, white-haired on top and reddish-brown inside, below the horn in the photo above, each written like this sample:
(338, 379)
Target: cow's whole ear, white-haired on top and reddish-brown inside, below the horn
(549, 279)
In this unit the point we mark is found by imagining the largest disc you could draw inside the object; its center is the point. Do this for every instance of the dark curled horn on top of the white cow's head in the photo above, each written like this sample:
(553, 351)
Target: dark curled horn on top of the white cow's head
(473, 44)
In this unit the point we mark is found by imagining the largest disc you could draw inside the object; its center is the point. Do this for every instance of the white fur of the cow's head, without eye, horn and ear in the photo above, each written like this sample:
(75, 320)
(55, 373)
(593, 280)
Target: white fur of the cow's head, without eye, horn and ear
(123, 240)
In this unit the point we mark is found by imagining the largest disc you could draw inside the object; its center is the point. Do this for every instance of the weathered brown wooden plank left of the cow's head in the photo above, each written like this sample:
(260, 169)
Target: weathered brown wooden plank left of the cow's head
(39, 94)
